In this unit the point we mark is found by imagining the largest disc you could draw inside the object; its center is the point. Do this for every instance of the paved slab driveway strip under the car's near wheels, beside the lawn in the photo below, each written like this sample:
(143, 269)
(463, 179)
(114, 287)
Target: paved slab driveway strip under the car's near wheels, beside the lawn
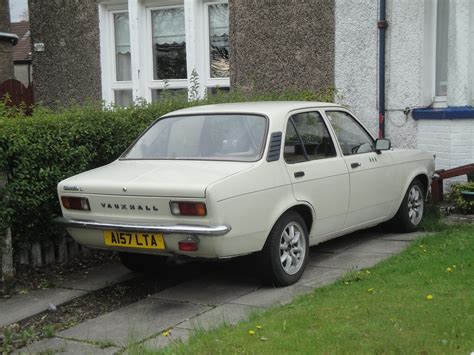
(227, 294)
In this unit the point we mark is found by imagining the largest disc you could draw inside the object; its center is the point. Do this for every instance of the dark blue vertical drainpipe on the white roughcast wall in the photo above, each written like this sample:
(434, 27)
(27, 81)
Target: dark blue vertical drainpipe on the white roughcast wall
(382, 26)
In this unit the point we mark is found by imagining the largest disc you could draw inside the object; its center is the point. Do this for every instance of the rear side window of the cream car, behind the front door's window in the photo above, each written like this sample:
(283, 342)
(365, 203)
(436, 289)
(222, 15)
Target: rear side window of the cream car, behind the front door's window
(307, 138)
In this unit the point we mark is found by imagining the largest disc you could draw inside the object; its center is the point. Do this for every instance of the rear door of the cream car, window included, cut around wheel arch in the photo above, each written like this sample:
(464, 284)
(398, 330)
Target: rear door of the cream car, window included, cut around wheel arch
(318, 173)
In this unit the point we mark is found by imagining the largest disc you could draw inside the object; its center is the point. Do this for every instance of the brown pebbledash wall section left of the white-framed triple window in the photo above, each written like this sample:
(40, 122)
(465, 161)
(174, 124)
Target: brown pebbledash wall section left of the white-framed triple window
(68, 70)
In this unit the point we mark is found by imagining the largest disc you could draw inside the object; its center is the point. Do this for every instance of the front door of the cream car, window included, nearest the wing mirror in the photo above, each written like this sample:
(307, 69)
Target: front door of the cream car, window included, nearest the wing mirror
(372, 185)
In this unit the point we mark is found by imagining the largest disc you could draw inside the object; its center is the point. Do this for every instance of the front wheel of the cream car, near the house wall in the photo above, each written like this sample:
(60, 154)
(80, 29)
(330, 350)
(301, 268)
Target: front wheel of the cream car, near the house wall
(410, 212)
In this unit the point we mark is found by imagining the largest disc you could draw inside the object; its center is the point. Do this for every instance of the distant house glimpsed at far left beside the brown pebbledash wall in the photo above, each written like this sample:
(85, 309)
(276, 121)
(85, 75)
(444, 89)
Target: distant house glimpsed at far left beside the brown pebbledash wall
(22, 53)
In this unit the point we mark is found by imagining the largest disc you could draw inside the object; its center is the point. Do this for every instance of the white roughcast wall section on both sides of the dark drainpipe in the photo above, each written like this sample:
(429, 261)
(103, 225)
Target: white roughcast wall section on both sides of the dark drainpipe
(356, 66)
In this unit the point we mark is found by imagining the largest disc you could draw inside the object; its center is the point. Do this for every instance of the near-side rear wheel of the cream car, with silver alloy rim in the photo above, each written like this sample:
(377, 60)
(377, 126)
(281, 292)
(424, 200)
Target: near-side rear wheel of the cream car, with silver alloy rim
(285, 254)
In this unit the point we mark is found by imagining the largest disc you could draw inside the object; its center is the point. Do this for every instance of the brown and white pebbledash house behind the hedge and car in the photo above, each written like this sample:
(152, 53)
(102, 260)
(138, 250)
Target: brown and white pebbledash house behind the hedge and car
(119, 51)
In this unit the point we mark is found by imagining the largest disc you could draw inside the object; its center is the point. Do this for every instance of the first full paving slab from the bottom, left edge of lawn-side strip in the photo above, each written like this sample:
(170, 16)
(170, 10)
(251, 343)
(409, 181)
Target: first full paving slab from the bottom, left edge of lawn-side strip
(134, 322)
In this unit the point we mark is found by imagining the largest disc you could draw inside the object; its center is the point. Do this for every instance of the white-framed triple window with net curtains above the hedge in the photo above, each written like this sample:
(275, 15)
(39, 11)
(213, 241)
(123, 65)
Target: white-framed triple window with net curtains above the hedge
(152, 45)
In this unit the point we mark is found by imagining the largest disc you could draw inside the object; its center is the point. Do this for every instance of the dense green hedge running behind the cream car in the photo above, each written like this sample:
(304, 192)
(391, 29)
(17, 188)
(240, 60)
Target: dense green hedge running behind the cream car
(38, 151)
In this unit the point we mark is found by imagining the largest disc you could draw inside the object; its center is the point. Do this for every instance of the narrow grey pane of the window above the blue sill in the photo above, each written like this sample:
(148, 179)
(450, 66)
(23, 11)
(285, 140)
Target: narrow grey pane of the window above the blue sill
(442, 48)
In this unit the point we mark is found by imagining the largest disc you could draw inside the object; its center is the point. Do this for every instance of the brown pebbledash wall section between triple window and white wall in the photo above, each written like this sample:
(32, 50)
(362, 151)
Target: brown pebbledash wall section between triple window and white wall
(280, 44)
